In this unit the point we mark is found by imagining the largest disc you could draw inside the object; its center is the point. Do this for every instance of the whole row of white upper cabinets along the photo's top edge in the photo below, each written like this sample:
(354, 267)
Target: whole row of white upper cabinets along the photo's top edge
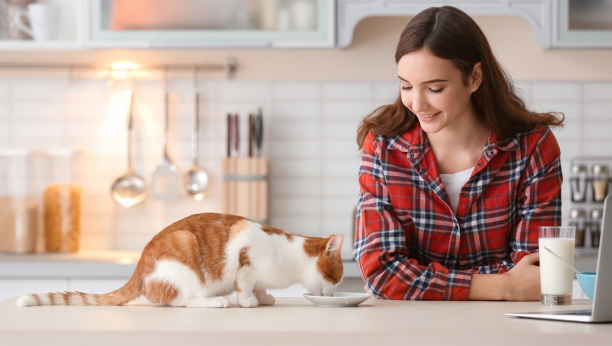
(91, 24)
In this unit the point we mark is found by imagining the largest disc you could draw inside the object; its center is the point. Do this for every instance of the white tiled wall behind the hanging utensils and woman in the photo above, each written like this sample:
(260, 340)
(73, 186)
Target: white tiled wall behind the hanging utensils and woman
(309, 137)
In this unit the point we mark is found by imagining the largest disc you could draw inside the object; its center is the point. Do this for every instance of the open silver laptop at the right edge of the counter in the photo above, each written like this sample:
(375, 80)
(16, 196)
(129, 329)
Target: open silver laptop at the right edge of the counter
(602, 299)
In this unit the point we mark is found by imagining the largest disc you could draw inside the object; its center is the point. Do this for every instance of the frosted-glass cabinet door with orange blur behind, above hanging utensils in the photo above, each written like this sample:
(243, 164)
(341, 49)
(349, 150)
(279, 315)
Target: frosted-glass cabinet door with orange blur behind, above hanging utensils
(210, 23)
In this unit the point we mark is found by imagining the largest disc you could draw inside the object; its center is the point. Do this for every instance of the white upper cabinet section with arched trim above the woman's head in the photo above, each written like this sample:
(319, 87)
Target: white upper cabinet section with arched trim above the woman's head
(555, 23)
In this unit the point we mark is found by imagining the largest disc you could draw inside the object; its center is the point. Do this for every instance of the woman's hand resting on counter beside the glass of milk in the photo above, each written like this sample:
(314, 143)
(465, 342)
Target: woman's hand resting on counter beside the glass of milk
(523, 280)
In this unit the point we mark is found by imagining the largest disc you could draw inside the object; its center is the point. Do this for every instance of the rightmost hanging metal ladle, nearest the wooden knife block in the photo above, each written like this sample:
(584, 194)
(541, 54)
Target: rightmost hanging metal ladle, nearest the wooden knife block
(197, 178)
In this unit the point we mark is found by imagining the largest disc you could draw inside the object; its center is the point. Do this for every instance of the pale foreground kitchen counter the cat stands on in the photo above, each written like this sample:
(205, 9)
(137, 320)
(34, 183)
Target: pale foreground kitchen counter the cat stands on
(296, 321)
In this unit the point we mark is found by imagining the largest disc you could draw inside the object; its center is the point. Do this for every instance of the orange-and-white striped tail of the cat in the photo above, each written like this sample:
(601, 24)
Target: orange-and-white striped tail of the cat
(130, 291)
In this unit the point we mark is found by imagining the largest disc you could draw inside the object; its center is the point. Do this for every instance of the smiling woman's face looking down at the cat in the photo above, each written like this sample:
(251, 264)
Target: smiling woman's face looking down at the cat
(433, 90)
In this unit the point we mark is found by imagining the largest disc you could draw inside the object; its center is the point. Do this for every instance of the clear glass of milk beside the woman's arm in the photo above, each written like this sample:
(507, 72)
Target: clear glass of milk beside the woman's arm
(556, 279)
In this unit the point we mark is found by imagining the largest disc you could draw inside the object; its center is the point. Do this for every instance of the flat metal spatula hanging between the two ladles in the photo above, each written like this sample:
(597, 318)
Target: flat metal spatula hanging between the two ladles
(165, 177)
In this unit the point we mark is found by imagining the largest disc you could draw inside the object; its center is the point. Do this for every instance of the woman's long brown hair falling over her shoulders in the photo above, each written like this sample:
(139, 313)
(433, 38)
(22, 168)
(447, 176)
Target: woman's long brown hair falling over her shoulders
(449, 33)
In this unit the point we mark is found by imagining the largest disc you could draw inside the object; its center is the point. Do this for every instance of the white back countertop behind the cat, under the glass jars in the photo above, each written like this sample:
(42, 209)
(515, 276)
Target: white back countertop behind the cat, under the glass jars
(85, 264)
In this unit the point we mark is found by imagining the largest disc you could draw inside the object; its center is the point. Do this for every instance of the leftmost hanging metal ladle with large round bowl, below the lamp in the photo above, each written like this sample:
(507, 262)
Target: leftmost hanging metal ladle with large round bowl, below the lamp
(130, 188)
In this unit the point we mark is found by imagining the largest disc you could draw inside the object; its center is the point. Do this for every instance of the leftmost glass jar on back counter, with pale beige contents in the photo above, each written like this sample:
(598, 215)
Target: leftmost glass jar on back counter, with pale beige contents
(19, 202)
